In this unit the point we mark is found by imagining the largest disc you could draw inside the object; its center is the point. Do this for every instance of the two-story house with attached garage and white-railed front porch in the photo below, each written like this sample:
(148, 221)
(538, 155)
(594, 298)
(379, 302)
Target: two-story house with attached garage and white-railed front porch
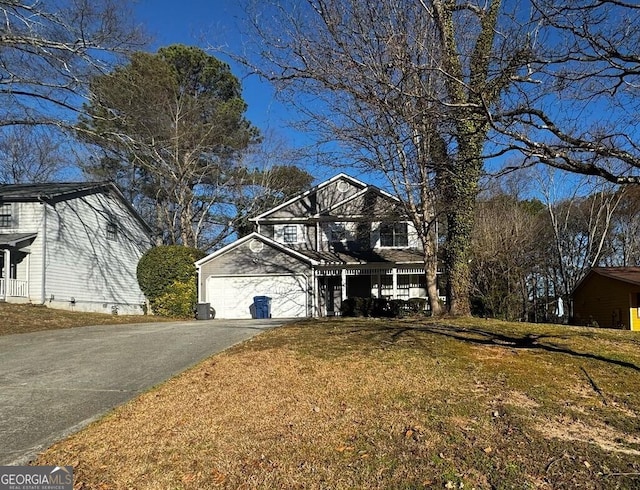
(341, 239)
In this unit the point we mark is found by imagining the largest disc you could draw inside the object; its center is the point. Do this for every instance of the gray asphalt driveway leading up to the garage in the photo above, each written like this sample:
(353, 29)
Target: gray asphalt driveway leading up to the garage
(53, 383)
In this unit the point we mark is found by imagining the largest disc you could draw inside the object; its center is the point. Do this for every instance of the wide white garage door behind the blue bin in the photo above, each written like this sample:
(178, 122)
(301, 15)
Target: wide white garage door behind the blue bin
(232, 296)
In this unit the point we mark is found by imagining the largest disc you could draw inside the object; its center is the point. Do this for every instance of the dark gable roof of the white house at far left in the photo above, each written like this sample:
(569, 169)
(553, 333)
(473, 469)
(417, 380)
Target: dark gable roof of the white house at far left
(54, 192)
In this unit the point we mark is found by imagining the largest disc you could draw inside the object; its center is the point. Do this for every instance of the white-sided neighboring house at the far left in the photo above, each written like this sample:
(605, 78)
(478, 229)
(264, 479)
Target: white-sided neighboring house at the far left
(71, 246)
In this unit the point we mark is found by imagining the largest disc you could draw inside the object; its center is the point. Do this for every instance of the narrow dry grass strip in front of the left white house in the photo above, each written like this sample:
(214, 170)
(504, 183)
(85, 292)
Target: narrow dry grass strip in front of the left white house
(23, 318)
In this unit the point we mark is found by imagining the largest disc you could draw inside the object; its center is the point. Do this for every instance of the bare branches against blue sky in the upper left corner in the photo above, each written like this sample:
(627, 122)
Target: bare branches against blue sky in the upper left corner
(48, 50)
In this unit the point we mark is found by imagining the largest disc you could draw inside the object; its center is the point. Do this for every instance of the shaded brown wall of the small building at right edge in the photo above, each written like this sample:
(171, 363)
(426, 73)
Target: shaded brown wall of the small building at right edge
(604, 301)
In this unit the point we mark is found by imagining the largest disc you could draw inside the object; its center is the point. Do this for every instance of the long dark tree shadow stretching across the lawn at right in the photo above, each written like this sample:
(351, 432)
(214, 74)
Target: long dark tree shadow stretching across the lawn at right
(485, 337)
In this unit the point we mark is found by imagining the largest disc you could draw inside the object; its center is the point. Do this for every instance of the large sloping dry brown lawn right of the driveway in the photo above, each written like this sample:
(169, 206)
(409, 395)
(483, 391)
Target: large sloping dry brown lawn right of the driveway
(381, 404)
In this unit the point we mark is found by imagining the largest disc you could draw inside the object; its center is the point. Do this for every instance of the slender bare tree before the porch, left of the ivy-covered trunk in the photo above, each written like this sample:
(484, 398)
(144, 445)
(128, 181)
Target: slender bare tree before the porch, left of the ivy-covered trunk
(372, 85)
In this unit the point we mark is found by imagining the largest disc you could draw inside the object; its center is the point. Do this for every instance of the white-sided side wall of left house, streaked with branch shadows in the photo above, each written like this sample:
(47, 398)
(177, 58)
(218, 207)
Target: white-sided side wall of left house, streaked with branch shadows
(85, 271)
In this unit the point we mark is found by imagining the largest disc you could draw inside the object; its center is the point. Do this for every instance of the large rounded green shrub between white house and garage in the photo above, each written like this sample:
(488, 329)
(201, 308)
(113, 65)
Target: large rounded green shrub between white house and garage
(167, 276)
